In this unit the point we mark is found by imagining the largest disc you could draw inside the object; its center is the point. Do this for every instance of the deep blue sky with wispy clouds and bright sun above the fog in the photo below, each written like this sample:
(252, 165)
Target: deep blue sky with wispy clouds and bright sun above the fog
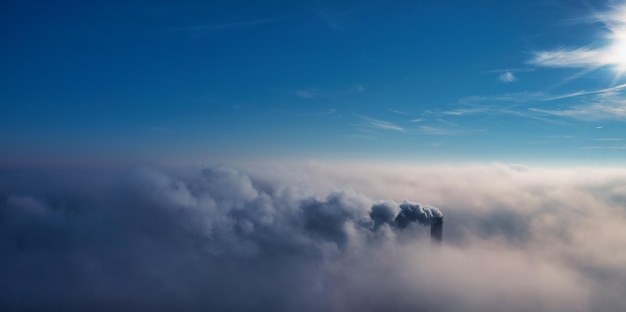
(188, 81)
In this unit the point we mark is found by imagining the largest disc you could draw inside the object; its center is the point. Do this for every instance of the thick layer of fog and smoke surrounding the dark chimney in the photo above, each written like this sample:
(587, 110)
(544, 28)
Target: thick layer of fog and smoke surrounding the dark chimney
(314, 237)
